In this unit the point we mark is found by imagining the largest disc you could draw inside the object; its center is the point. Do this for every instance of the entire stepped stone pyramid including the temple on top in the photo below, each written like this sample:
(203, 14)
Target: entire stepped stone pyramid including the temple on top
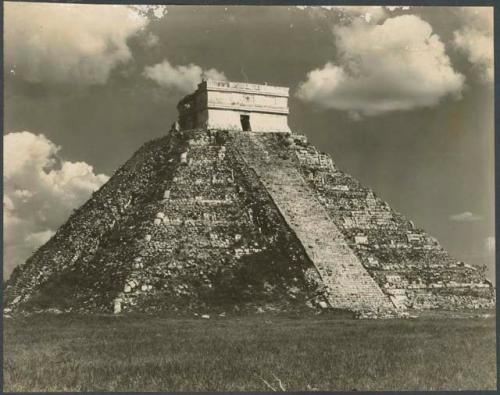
(217, 217)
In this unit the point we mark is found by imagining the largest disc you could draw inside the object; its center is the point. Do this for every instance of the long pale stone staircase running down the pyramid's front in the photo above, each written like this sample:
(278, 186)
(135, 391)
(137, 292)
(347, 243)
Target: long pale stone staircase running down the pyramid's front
(348, 284)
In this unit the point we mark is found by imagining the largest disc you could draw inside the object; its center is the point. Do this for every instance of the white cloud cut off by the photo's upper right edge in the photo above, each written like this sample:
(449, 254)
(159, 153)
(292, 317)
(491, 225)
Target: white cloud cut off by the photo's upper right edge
(475, 39)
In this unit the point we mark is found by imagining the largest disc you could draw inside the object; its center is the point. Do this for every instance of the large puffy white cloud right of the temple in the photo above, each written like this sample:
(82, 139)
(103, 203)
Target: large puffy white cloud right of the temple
(397, 65)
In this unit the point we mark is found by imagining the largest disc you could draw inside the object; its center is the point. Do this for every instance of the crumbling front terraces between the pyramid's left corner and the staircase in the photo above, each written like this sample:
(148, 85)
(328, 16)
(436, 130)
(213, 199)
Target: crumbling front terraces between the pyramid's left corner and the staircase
(203, 241)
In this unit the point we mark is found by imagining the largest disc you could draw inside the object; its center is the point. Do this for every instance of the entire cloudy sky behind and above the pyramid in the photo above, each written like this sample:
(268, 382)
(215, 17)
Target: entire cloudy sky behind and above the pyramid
(402, 98)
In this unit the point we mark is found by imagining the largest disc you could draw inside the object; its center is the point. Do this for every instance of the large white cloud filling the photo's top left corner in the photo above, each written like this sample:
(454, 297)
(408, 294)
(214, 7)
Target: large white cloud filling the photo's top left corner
(60, 43)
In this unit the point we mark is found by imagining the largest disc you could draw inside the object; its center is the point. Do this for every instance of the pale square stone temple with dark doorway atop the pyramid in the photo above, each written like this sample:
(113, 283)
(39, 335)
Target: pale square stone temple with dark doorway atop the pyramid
(235, 106)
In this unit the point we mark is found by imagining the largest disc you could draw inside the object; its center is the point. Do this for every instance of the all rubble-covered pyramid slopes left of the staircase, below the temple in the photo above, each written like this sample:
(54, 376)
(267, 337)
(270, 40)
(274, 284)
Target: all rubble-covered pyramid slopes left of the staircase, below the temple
(196, 230)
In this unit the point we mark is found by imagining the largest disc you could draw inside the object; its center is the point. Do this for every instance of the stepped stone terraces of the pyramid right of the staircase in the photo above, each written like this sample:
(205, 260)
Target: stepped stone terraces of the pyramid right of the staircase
(408, 264)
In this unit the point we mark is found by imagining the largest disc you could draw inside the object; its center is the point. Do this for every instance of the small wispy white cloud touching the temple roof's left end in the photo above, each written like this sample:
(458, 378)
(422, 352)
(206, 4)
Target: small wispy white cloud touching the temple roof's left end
(182, 78)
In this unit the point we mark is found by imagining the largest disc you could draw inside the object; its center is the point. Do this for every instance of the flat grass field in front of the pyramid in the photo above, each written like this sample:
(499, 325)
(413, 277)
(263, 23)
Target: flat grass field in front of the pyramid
(143, 353)
